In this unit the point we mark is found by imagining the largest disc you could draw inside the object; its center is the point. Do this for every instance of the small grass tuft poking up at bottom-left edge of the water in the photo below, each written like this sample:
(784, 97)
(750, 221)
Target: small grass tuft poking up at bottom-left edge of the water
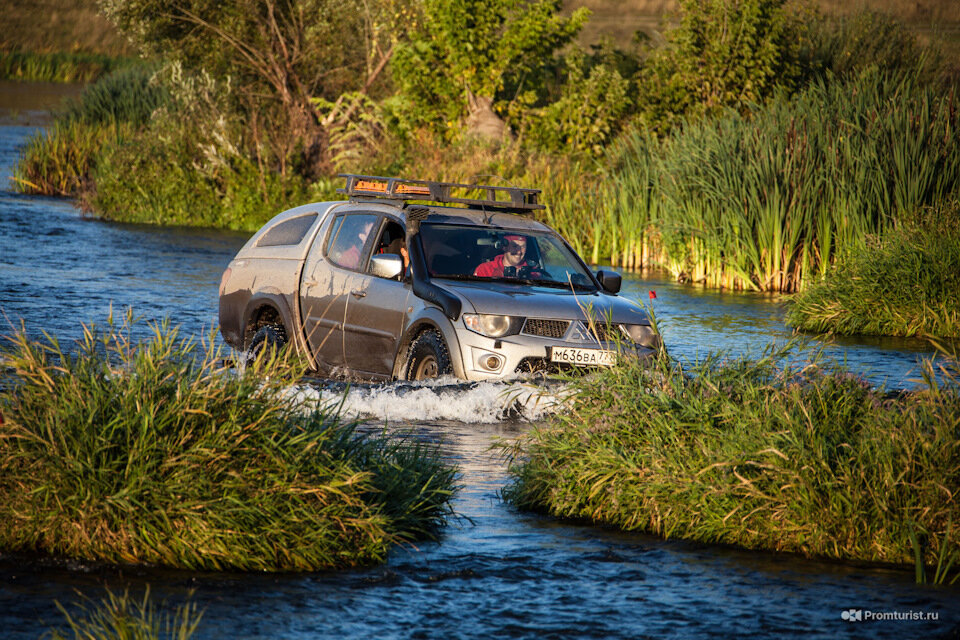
(121, 617)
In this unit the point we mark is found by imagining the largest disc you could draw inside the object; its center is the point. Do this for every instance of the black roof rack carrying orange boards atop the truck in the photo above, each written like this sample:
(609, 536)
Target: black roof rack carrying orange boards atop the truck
(360, 186)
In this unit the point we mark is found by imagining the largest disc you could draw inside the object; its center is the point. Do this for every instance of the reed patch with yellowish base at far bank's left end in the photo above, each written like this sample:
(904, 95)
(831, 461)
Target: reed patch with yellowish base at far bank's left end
(59, 161)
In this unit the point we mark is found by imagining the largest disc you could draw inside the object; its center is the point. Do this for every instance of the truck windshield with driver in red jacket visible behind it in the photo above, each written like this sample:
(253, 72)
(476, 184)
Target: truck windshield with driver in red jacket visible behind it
(481, 253)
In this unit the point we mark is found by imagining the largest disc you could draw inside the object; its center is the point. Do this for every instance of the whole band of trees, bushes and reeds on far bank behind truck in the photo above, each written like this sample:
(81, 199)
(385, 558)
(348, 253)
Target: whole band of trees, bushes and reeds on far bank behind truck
(757, 145)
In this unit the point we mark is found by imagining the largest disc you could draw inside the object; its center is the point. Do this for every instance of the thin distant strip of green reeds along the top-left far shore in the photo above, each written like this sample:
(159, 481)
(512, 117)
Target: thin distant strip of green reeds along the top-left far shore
(58, 66)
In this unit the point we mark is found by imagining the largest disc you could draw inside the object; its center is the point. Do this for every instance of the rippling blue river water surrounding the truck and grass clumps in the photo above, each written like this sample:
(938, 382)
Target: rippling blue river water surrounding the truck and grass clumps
(496, 572)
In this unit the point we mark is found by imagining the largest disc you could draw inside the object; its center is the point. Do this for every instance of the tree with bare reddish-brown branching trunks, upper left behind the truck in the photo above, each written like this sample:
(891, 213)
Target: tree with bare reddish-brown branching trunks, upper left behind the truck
(278, 55)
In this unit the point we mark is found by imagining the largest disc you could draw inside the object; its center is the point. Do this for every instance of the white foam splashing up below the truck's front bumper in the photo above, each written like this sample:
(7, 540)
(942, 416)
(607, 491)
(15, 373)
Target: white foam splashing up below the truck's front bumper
(441, 399)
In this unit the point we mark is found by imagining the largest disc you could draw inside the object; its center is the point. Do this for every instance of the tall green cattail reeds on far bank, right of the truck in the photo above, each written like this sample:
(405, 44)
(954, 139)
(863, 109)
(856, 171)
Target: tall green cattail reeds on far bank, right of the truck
(770, 199)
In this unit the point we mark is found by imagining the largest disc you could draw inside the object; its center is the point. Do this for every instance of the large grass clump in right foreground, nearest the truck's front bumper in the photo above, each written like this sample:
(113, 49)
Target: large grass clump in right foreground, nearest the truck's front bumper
(809, 460)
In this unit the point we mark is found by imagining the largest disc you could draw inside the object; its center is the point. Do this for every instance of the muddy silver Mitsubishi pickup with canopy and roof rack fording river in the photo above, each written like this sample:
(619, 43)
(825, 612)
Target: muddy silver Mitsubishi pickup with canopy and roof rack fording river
(413, 279)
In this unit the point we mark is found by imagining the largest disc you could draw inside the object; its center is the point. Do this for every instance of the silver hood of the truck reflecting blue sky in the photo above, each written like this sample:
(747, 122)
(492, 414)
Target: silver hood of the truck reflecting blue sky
(544, 302)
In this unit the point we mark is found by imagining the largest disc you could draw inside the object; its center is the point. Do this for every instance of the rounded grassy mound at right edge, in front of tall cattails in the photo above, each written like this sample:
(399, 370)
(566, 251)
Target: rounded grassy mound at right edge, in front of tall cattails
(906, 285)
